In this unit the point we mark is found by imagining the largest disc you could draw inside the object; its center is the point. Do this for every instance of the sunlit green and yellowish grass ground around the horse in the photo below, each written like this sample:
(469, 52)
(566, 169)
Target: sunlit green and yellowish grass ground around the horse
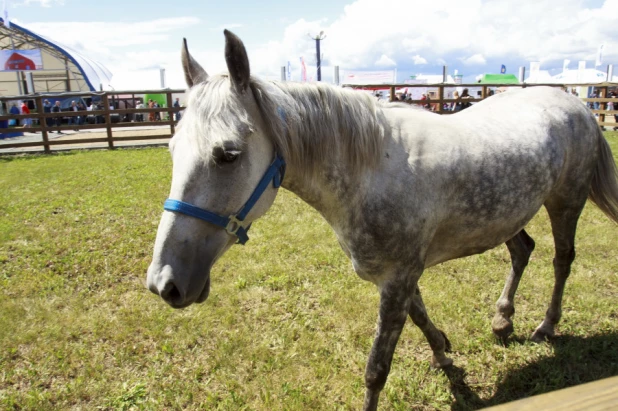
(288, 324)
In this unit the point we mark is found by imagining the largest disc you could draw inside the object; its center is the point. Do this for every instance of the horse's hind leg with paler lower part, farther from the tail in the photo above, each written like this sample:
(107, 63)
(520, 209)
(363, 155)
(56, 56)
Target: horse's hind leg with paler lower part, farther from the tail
(520, 247)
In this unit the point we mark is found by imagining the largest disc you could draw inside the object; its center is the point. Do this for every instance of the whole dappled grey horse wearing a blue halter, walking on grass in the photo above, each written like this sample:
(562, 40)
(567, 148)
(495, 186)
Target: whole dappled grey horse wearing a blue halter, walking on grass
(403, 189)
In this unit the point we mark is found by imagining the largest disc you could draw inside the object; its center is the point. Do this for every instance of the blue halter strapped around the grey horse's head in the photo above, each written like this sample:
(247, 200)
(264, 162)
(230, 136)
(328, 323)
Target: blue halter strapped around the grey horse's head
(234, 223)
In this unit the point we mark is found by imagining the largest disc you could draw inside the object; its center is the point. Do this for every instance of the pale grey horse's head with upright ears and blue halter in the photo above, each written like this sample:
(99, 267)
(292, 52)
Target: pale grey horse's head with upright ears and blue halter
(221, 156)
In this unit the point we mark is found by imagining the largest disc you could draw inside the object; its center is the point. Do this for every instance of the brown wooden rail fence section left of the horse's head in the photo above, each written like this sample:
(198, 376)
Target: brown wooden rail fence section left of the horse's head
(107, 115)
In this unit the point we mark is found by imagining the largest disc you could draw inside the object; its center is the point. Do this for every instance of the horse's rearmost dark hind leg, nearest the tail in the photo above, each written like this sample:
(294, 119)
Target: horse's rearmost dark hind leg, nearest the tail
(564, 225)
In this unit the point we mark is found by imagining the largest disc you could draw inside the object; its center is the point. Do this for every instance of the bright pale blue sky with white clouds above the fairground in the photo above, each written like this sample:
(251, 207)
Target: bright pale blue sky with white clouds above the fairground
(136, 38)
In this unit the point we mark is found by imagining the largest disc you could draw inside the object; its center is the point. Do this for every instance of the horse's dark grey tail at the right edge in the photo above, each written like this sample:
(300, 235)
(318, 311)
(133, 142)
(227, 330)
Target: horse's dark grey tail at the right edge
(604, 188)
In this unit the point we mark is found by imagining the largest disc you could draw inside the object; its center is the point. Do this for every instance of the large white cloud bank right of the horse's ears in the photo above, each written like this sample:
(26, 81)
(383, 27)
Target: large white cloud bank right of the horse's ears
(452, 32)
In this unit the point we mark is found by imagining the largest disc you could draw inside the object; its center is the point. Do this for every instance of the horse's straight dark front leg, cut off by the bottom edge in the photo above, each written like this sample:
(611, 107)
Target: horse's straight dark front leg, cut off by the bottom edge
(395, 300)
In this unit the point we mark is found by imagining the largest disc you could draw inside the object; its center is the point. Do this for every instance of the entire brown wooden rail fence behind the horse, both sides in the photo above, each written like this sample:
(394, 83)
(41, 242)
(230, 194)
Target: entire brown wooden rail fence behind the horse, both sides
(123, 119)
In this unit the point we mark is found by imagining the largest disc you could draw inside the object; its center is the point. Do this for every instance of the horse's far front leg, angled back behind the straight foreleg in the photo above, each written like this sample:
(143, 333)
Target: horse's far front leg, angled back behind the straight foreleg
(436, 338)
